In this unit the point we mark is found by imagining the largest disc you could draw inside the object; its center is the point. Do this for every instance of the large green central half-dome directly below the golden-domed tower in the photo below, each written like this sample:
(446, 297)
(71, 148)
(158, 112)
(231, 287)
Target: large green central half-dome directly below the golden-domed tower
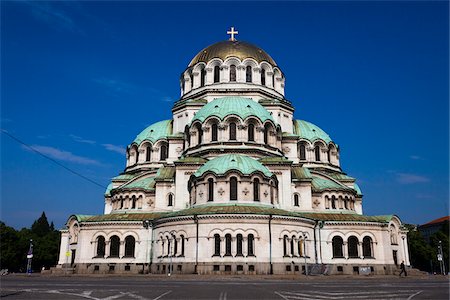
(239, 106)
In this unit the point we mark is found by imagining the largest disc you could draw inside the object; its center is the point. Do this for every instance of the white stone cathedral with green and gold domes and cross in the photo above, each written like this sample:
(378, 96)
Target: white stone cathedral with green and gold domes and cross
(233, 184)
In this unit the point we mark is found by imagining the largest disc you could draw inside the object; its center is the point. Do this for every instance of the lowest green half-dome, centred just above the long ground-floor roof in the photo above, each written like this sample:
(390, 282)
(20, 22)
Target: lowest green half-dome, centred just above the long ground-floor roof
(222, 164)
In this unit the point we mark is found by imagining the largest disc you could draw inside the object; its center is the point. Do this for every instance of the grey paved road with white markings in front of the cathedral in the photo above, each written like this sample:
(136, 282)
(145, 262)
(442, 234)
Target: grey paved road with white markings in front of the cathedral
(222, 288)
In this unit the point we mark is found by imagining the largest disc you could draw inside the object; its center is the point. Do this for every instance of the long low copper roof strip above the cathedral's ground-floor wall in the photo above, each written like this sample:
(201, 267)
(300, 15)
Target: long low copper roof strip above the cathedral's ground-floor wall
(212, 209)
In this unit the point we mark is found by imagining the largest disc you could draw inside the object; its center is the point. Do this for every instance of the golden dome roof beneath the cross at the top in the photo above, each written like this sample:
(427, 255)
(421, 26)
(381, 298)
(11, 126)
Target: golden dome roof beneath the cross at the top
(225, 49)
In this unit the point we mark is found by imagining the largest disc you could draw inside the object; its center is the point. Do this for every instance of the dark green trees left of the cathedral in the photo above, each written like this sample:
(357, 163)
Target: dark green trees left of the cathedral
(14, 246)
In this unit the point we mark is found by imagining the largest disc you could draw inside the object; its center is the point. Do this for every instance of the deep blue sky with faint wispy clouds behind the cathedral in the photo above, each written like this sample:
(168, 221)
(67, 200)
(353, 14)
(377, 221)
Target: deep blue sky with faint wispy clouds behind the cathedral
(81, 79)
